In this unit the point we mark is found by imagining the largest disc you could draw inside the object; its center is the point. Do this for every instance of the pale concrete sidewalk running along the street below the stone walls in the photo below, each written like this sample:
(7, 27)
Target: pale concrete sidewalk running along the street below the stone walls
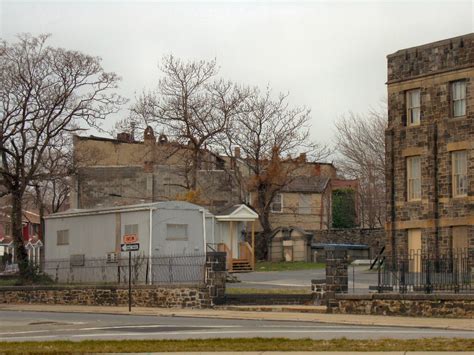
(286, 315)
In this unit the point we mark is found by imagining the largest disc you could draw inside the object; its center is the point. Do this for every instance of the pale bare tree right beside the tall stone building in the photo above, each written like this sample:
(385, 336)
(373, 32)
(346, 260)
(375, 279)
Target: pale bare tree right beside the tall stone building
(360, 142)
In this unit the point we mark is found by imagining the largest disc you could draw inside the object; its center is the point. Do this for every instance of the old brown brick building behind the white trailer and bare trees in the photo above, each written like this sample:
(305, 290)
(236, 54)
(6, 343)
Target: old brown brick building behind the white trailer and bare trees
(124, 171)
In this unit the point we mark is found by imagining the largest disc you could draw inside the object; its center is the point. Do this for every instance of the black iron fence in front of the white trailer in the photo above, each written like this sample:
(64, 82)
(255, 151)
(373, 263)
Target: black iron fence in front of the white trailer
(157, 270)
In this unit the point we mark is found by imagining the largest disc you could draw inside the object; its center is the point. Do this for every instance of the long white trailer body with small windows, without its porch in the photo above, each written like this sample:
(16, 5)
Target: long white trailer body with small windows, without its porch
(161, 228)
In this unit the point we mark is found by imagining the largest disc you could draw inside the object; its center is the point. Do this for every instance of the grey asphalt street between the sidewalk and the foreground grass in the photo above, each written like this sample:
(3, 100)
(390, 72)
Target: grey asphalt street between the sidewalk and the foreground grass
(41, 326)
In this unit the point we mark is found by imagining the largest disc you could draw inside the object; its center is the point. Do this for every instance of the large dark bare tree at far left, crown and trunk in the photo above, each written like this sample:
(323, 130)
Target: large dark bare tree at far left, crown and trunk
(45, 92)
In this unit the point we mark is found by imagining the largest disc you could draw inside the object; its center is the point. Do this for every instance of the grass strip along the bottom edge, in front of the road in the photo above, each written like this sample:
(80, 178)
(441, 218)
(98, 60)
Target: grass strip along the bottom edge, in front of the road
(253, 344)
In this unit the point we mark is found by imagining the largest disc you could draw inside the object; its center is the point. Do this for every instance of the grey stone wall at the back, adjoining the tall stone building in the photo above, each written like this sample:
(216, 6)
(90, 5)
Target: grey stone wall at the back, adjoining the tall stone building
(374, 238)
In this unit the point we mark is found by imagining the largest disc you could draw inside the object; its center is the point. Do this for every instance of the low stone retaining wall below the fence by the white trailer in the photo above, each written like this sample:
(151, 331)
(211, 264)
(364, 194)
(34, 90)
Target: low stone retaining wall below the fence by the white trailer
(142, 296)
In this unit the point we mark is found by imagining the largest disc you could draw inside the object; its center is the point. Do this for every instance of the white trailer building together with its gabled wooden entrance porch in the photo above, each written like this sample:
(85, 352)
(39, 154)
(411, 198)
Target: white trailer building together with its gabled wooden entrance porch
(162, 229)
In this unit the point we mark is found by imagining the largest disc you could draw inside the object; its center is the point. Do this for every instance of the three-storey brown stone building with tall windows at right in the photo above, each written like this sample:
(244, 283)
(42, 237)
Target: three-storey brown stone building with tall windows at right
(430, 148)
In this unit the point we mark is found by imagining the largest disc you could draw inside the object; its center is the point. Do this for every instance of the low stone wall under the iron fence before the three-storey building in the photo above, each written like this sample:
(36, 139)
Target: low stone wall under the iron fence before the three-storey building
(414, 305)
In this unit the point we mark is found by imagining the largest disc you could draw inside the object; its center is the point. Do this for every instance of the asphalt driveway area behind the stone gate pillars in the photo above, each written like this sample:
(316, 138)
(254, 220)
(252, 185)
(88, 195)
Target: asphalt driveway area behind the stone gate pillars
(301, 279)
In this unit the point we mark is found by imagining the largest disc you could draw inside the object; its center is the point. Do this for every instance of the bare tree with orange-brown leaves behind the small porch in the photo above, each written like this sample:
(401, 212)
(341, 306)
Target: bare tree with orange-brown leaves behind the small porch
(270, 135)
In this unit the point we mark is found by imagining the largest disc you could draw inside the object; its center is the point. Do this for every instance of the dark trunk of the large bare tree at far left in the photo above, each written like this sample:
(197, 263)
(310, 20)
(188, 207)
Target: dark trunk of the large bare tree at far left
(17, 232)
